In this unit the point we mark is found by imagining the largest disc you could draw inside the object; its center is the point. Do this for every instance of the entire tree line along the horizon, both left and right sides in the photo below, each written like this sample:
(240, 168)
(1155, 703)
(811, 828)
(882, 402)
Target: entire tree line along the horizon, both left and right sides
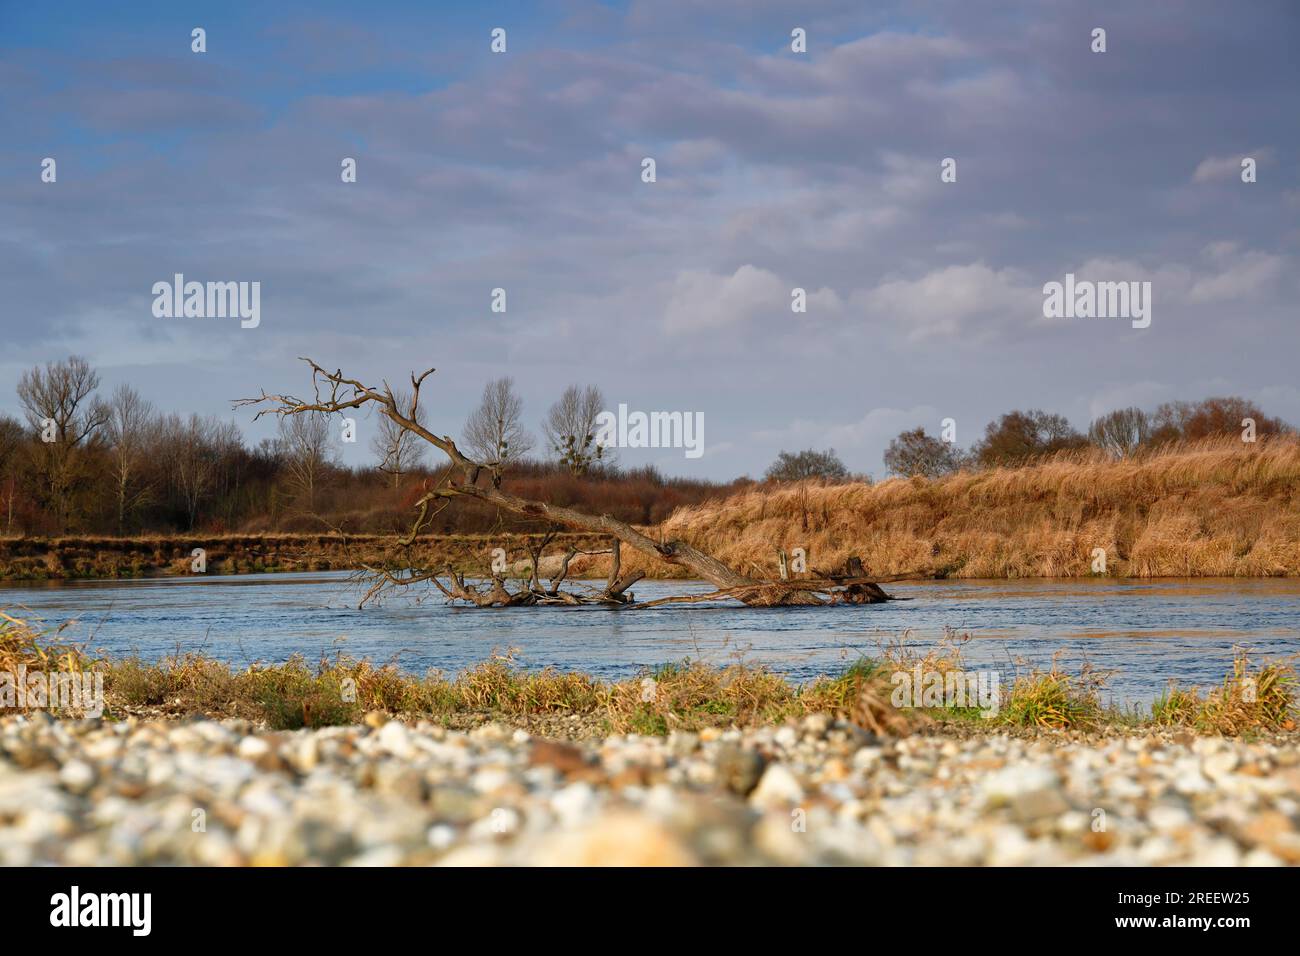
(80, 462)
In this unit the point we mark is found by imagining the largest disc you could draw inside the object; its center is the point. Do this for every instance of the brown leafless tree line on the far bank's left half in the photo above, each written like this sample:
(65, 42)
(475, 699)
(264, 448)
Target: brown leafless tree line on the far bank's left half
(81, 462)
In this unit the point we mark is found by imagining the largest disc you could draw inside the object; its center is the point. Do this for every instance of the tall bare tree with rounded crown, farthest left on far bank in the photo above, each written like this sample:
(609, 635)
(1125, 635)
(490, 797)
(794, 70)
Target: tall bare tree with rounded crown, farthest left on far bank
(60, 405)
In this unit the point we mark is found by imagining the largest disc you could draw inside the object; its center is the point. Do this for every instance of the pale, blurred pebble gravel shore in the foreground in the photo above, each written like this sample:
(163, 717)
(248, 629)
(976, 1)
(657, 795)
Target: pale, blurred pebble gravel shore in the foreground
(146, 793)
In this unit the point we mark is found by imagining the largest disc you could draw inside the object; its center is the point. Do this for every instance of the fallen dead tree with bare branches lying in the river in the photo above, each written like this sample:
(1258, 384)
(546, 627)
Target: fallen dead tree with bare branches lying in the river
(336, 393)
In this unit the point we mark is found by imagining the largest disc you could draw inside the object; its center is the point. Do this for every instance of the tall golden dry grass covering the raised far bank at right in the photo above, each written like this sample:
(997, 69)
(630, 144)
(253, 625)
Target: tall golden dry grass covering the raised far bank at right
(1208, 509)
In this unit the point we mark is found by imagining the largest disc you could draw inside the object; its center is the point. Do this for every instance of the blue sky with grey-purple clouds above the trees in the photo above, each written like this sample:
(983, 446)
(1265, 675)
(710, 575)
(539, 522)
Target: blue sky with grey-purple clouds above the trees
(775, 171)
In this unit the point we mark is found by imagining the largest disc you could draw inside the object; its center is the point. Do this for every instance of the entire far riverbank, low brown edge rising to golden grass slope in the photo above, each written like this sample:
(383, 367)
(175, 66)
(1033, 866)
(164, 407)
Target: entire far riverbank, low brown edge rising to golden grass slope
(1212, 509)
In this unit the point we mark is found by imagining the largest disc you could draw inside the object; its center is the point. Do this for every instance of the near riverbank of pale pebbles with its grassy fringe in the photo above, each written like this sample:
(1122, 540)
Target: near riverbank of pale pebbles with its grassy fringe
(192, 762)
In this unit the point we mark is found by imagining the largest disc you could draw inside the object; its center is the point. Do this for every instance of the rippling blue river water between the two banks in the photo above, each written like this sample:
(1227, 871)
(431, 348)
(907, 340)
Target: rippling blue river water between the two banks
(1146, 633)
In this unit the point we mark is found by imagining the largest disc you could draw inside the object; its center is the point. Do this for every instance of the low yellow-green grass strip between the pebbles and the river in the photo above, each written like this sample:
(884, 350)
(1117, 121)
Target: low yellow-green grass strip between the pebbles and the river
(690, 695)
